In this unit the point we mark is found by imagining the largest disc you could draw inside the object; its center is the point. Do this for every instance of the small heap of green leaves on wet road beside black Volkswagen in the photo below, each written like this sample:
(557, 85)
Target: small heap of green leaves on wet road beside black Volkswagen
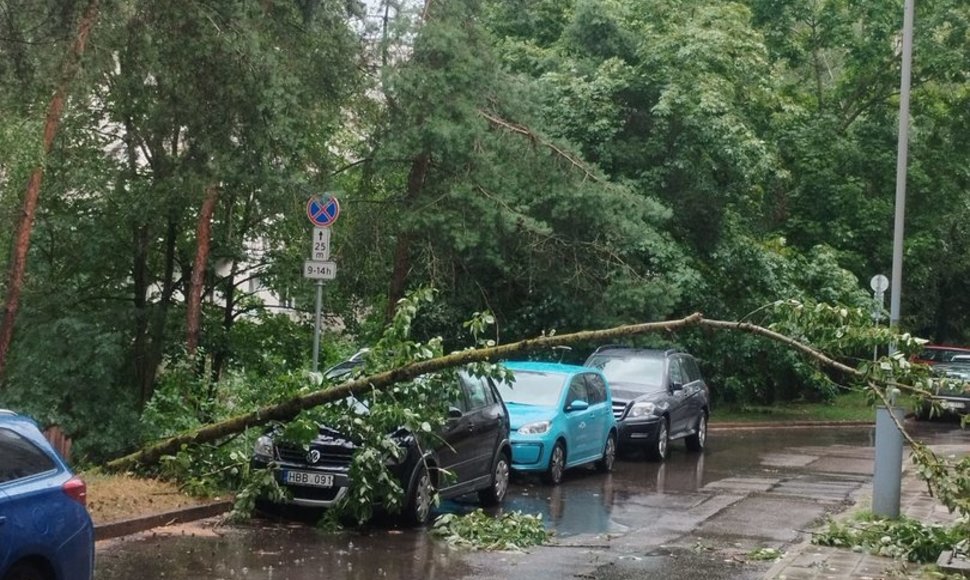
(480, 531)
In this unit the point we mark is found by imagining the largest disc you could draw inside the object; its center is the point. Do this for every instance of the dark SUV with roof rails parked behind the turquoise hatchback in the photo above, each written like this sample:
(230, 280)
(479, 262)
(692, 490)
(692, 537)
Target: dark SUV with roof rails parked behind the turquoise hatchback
(658, 395)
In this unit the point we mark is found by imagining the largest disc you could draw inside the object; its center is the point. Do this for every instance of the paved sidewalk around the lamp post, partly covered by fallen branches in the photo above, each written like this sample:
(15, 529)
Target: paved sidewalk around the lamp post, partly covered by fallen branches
(806, 561)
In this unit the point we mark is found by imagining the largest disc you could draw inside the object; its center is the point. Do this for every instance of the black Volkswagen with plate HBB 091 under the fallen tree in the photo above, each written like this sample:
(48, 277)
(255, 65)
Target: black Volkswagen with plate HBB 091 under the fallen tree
(473, 446)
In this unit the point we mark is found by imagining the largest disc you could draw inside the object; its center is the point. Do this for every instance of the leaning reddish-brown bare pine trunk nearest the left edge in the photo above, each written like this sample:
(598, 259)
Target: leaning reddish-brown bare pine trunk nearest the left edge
(18, 261)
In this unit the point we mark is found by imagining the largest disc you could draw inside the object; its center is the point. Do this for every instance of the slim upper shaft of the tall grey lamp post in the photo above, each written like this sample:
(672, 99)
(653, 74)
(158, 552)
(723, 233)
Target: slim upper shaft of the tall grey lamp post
(902, 151)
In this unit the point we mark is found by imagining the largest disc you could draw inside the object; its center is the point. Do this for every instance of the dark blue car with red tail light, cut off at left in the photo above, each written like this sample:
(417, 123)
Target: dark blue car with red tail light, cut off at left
(45, 530)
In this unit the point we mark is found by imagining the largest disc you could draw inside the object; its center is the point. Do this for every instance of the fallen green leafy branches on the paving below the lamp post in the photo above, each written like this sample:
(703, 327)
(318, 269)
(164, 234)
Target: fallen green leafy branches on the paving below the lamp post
(904, 538)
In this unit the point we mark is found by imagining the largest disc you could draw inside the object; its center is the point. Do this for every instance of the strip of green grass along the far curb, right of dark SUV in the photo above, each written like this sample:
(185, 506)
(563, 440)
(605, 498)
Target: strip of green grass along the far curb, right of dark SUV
(851, 406)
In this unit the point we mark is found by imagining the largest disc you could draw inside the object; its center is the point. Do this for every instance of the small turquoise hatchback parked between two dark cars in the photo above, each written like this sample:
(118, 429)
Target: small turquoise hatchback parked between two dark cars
(561, 417)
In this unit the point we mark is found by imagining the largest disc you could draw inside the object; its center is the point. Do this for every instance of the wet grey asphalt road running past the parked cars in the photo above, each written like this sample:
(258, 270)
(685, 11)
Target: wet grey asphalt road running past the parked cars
(695, 516)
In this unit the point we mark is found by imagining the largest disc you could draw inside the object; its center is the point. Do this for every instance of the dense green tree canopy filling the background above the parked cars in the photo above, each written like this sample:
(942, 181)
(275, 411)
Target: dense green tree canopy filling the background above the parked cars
(562, 165)
